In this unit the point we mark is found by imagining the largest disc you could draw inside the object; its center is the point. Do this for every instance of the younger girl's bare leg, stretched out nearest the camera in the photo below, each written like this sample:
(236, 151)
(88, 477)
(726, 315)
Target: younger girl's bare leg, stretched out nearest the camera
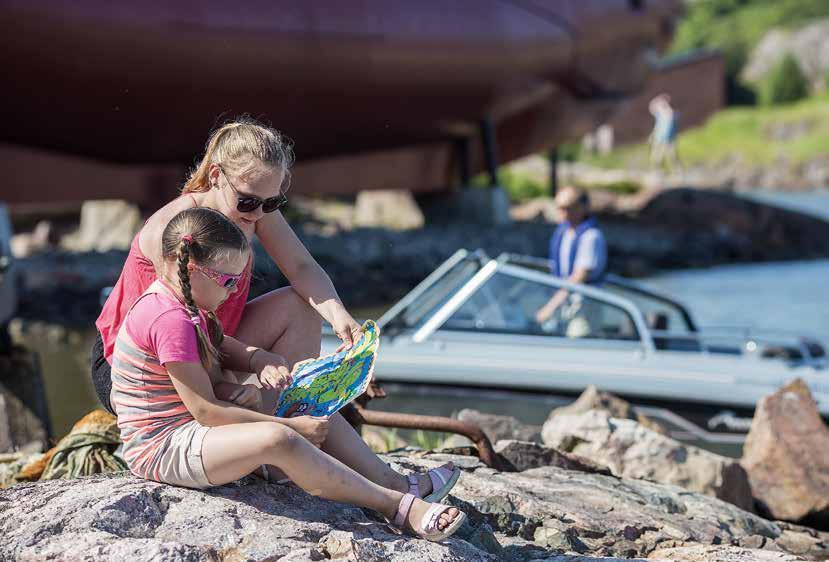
(232, 451)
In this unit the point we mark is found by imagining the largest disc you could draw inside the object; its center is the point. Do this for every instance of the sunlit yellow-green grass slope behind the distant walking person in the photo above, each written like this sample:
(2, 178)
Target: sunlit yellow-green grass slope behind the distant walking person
(744, 133)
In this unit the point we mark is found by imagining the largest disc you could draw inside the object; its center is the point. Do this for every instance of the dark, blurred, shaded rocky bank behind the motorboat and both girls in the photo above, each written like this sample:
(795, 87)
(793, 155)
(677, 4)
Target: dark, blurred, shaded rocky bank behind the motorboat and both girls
(680, 228)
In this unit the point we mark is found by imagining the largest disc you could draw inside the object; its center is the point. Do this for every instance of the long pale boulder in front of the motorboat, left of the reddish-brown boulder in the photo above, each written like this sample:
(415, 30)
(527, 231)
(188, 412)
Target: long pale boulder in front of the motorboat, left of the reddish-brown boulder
(631, 450)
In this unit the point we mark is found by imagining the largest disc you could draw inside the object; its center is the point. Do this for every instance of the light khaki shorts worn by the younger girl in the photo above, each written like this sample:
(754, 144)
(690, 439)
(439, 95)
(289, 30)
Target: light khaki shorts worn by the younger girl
(180, 463)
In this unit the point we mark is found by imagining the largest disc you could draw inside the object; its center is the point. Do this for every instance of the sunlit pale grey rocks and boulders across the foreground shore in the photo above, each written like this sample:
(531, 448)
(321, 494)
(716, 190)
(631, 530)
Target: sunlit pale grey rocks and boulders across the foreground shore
(591, 497)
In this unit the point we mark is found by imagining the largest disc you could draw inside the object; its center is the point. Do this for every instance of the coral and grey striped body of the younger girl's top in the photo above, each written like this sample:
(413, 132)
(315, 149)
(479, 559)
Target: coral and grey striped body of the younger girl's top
(148, 407)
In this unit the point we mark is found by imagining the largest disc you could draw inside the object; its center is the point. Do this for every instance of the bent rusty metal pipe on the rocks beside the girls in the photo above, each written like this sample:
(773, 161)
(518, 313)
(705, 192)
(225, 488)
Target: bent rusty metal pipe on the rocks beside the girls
(433, 423)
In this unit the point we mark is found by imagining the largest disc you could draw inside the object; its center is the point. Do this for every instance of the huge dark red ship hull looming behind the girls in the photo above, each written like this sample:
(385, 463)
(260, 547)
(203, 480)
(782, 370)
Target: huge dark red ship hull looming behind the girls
(142, 83)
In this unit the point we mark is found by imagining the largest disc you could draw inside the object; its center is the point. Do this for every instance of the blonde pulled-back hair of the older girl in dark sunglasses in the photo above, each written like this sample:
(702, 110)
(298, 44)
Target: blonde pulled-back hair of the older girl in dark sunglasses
(239, 144)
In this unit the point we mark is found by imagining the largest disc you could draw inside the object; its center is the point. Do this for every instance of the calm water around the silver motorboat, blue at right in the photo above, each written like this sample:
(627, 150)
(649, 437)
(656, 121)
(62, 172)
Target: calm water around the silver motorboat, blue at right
(786, 296)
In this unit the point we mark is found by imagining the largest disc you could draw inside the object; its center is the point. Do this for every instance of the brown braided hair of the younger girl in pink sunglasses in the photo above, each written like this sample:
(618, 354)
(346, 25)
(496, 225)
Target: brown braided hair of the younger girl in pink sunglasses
(205, 237)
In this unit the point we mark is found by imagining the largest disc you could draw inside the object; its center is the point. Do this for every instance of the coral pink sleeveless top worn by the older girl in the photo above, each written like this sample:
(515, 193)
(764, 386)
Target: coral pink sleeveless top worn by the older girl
(137, 275)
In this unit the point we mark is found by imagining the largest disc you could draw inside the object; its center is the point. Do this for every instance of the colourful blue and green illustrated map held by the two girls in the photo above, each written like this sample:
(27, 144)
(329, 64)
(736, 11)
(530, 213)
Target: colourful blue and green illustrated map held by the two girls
(322, 386)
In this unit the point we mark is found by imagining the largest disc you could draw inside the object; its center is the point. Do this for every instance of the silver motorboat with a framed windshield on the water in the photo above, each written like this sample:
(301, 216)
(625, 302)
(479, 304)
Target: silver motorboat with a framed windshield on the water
(469, 330)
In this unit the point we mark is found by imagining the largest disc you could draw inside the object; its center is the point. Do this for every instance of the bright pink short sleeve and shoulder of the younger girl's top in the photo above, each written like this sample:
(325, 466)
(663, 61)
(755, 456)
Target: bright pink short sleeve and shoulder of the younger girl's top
(164, 330)
